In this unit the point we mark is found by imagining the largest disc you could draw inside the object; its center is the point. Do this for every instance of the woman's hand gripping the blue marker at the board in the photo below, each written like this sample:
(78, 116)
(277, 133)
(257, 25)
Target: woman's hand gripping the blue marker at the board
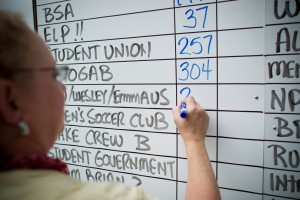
(194, 127)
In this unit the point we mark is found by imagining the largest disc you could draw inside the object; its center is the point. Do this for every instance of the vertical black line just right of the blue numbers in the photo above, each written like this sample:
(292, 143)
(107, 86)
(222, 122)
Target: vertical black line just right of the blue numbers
(217, 95)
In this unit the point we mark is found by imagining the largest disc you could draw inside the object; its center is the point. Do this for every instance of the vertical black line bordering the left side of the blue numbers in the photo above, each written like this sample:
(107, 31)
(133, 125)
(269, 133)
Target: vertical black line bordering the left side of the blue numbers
(175, 66)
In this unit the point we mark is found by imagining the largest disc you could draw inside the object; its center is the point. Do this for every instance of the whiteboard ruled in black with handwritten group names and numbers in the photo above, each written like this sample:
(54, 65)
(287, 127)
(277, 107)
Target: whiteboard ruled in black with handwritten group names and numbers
(133, 61)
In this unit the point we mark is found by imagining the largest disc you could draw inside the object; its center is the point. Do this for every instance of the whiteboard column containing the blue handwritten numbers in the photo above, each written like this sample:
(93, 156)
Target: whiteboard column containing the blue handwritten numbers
(196, 68)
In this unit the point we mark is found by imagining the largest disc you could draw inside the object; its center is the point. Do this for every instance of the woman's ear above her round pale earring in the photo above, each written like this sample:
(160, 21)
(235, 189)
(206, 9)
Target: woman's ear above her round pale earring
(9, 103)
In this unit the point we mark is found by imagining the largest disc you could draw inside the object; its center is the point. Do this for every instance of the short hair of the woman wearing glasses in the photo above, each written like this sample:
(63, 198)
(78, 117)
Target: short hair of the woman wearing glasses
(14, 42)
